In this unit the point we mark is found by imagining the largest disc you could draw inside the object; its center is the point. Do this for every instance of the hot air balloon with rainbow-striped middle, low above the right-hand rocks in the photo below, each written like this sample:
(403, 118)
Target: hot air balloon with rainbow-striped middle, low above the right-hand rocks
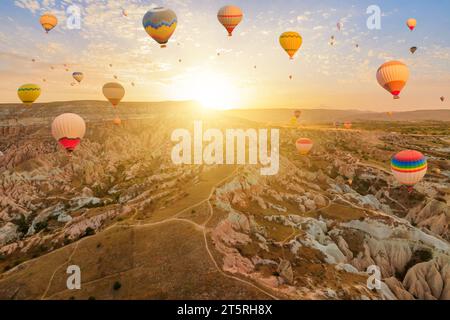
(409, 167)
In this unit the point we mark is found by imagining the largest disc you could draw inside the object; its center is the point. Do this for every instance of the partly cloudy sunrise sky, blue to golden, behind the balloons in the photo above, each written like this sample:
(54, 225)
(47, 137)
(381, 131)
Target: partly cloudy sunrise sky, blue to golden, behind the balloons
(323, 76)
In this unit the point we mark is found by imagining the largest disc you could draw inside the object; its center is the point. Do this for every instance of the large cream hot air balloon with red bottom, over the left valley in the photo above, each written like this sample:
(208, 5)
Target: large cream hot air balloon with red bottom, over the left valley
(68, 129)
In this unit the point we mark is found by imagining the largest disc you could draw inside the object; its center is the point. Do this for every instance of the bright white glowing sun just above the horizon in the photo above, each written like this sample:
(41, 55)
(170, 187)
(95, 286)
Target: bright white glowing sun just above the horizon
(214, 91)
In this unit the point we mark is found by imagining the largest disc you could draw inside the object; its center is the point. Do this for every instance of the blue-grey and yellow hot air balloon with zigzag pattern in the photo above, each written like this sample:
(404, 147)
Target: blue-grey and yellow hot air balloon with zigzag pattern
(160, 24)
